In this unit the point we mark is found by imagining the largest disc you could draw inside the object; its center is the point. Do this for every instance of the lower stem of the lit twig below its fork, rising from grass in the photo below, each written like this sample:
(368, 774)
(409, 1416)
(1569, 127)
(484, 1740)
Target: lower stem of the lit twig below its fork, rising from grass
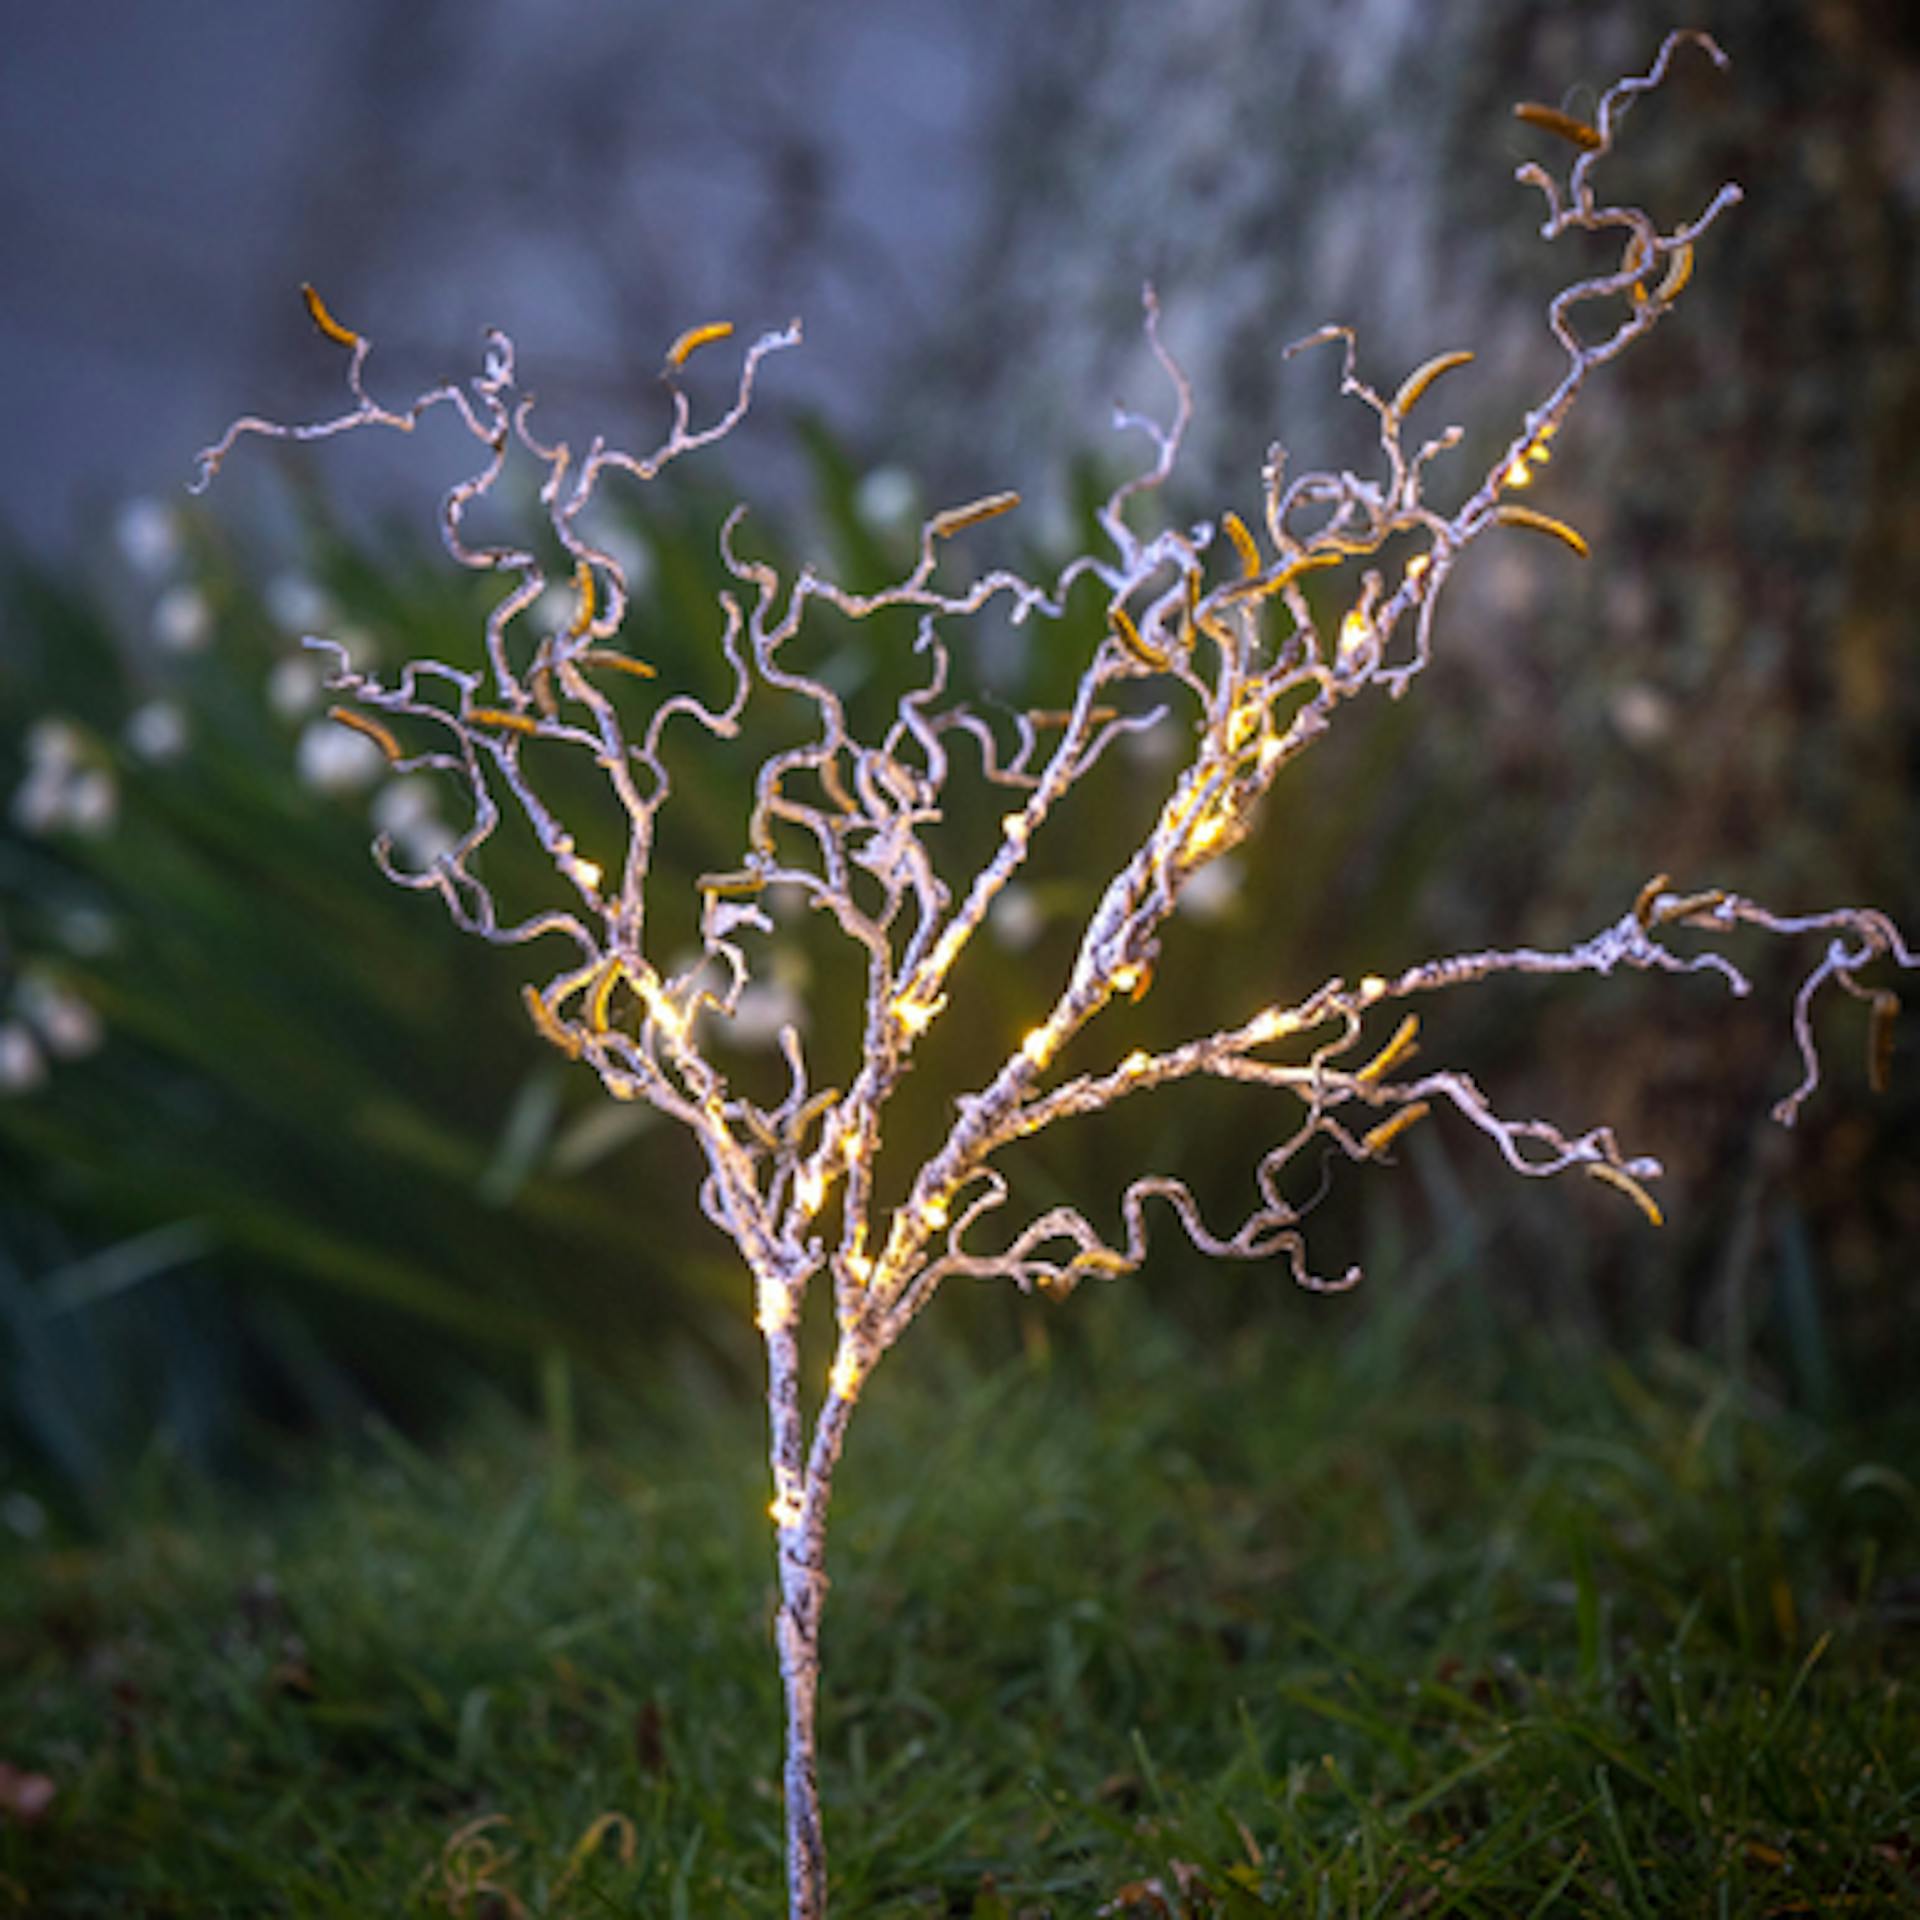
(804, 1487)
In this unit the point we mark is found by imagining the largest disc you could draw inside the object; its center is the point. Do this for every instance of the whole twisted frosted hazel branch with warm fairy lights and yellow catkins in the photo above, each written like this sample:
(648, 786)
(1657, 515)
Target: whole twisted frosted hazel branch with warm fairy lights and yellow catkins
(1293, 629)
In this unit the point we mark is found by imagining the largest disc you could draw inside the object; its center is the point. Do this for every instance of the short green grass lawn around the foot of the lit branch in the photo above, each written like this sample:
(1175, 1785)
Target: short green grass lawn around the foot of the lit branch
(1366, 1610)
